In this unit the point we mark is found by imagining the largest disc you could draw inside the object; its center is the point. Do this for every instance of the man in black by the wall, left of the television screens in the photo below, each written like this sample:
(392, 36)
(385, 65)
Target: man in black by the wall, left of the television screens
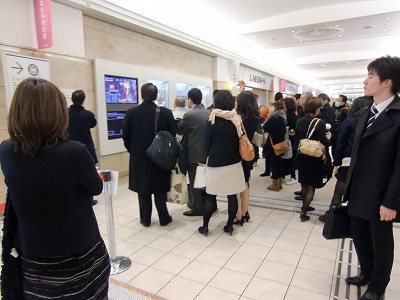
(80, 123)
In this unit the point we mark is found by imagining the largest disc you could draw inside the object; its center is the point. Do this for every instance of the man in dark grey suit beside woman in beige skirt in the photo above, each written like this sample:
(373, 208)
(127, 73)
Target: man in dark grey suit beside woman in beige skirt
(193, 129)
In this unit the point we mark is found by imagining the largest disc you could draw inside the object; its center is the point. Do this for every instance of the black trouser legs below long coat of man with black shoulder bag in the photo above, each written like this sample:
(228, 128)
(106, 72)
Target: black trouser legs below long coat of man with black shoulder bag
(145, 207)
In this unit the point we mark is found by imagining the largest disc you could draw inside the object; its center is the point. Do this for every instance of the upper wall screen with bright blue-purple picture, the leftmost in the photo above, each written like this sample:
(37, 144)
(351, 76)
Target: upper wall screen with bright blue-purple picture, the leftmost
(121, 90)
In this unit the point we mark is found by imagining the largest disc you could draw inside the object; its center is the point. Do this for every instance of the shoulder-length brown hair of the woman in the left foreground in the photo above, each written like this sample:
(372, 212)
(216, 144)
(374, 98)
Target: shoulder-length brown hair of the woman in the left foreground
(38, 117)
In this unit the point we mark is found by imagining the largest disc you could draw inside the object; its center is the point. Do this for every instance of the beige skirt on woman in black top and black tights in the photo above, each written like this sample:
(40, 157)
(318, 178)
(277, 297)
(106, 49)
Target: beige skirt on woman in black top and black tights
(226, 180)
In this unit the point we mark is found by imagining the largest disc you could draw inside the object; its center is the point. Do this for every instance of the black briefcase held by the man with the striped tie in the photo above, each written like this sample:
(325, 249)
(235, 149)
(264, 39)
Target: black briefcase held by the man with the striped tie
(337, 223)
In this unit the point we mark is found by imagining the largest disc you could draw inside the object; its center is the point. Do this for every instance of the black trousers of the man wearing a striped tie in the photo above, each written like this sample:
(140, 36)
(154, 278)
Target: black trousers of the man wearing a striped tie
(374, 244)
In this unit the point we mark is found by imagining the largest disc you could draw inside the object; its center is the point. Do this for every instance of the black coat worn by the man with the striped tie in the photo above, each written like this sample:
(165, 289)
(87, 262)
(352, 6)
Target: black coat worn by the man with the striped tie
(374, 174)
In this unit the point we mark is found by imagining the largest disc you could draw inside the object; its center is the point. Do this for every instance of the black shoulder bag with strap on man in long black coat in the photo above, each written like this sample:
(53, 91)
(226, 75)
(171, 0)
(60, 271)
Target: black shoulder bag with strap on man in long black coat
(164, 149)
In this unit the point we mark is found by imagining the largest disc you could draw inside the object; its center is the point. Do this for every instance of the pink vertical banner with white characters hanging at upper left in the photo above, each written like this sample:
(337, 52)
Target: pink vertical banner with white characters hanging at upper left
(43, 23)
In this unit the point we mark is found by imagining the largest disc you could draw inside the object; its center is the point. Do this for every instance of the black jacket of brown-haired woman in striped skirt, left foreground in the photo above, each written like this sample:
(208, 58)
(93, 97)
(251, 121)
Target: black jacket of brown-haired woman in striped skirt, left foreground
(51, 195)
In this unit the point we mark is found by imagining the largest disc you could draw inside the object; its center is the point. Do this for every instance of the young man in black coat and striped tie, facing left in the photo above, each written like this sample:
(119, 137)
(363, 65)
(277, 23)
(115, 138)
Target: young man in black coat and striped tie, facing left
(373, 188)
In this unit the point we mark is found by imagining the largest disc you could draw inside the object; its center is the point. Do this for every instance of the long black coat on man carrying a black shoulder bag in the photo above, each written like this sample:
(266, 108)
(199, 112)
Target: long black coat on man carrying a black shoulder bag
(145, 177)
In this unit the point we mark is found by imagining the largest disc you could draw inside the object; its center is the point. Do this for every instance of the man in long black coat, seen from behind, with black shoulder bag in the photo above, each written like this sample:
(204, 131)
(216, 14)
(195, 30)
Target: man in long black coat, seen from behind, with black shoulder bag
(145, 177)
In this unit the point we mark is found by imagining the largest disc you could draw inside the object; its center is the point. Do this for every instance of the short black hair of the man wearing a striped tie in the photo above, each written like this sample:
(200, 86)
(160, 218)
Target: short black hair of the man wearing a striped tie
(387, 67)
